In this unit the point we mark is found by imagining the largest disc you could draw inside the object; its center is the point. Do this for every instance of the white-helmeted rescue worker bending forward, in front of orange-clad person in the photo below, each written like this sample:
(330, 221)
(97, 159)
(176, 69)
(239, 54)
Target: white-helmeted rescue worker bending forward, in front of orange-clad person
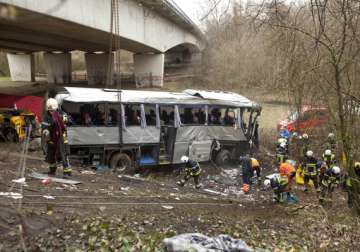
(279, 184)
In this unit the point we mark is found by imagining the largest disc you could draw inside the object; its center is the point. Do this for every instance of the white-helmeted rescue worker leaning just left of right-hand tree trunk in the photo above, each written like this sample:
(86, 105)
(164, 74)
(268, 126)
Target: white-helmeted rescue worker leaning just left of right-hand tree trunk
(330, 181)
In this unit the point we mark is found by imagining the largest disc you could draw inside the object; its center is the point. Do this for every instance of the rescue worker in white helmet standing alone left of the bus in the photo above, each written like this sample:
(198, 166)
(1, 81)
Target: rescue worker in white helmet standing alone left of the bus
(53, 130)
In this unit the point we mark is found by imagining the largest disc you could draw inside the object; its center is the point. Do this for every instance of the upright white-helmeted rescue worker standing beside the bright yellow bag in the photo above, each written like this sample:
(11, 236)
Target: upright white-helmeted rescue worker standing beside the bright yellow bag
(309, 167)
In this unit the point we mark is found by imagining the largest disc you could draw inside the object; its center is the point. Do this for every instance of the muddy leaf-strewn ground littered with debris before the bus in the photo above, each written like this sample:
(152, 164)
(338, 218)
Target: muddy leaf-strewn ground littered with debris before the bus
(110, 213)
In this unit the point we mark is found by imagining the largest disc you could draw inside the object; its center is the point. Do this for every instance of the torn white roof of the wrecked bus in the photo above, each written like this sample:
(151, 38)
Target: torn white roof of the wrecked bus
(189, 96)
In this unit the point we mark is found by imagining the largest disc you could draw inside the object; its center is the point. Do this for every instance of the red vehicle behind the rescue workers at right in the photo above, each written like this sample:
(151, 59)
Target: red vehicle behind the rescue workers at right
(310, 118)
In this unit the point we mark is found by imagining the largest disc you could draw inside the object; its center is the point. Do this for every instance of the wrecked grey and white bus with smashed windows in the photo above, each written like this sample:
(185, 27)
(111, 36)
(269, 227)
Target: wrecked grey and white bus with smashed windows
(129, 129)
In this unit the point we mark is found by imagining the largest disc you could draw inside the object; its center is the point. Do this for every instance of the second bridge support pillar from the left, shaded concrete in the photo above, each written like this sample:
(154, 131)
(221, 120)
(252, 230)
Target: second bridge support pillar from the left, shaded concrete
(58, 67)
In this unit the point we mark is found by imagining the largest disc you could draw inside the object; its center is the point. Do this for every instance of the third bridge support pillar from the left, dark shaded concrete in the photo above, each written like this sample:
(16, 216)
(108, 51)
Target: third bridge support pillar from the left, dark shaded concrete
(97, 66)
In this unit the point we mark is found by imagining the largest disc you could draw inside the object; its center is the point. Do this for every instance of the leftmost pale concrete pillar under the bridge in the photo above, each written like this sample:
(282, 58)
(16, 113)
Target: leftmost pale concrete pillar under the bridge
(21, 67)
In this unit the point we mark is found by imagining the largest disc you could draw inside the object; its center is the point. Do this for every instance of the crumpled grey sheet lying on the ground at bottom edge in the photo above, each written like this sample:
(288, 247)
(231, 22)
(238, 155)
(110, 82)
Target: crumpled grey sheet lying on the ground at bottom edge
(202, 243)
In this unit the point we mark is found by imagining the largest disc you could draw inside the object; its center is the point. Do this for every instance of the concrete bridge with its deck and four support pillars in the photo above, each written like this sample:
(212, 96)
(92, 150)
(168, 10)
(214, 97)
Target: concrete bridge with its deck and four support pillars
(150, 29)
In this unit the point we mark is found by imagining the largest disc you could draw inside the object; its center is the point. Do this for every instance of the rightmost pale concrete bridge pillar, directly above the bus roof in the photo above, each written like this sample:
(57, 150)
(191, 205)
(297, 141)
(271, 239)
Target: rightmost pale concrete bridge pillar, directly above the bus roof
(149, 69)
